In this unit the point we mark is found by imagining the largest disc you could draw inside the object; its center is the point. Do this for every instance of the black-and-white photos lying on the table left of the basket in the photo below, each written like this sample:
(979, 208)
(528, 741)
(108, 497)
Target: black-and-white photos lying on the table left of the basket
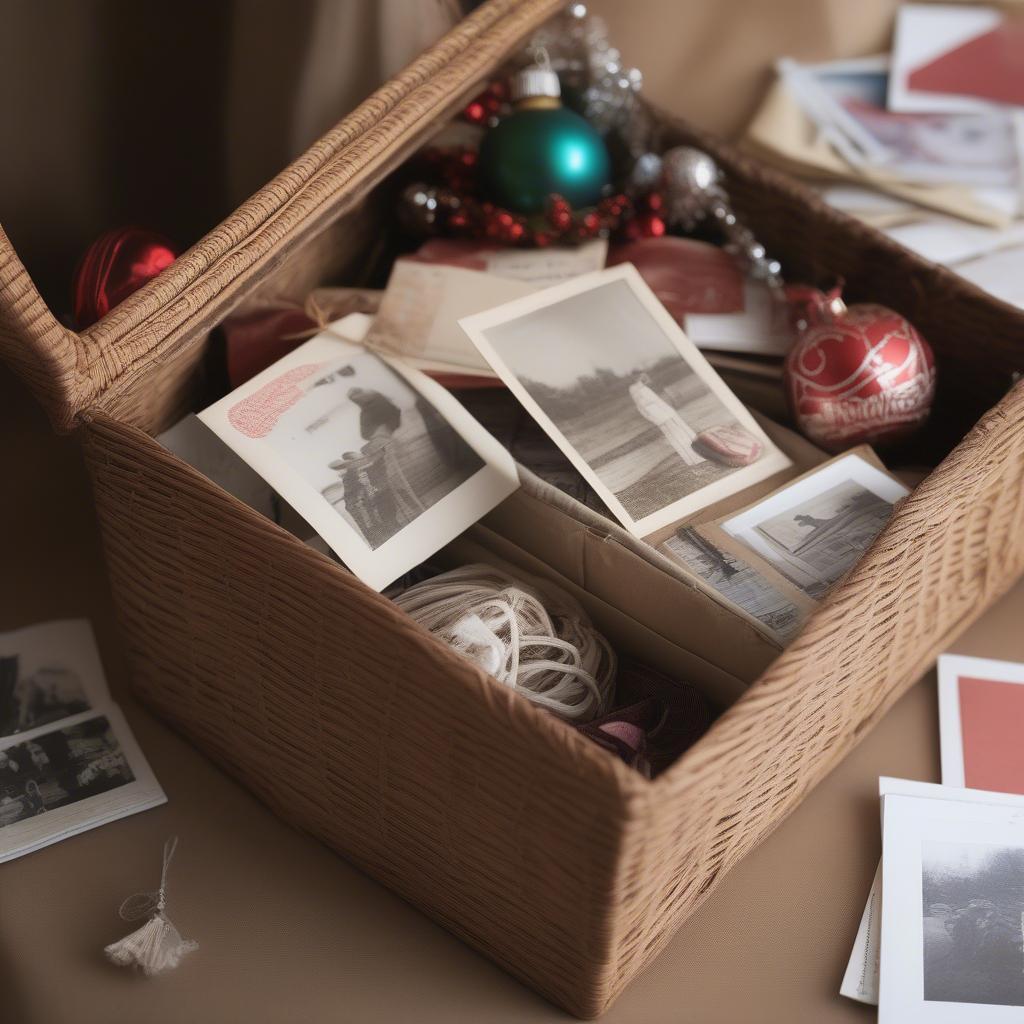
(68, 759)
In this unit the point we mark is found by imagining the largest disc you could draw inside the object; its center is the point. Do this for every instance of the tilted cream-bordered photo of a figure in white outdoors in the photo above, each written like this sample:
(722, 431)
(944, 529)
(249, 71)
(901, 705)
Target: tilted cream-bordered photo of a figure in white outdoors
(635, 407)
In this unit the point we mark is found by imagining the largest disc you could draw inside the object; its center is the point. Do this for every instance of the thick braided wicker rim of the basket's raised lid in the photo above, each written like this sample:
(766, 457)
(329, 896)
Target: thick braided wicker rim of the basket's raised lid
(71, 373)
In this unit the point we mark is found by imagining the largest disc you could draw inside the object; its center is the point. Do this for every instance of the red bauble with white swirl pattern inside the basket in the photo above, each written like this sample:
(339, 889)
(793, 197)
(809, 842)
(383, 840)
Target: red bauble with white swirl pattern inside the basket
(859, 374)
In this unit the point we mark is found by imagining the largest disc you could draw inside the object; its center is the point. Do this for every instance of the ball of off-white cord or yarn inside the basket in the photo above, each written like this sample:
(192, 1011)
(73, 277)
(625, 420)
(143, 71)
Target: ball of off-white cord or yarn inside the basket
(536, 639)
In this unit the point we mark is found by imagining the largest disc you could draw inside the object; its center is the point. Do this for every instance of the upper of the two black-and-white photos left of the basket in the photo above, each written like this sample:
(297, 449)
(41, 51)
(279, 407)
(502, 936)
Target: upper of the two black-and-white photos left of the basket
(49, 672)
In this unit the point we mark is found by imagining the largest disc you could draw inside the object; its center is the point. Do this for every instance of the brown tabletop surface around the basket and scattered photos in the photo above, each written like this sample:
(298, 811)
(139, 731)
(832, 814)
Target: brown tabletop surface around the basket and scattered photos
(291, 933)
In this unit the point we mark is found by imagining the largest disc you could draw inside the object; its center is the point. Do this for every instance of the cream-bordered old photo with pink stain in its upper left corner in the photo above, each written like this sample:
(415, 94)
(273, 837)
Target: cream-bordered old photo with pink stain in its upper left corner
(381, 461)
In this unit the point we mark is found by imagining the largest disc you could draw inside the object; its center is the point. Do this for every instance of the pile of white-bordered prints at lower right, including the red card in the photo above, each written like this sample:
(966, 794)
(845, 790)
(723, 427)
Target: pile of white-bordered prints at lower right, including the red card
(942, 940)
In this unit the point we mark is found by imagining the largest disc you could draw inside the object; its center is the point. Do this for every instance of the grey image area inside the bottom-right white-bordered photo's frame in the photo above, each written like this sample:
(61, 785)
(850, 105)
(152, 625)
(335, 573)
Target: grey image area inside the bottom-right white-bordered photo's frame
(973, 919)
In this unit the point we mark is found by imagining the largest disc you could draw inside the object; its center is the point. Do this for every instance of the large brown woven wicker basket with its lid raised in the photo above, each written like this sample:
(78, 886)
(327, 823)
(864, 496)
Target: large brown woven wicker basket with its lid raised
(535, 846)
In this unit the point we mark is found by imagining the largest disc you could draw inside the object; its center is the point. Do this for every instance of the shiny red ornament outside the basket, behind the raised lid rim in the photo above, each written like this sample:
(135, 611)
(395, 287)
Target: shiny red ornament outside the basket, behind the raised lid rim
(115, 266)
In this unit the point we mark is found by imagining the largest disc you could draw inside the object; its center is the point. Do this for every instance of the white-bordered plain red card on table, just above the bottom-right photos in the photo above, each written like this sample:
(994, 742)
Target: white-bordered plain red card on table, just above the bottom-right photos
(982, 723)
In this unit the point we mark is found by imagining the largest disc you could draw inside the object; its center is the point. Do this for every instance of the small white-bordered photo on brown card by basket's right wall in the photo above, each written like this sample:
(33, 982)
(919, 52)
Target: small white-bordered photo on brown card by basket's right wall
(816, 530)
